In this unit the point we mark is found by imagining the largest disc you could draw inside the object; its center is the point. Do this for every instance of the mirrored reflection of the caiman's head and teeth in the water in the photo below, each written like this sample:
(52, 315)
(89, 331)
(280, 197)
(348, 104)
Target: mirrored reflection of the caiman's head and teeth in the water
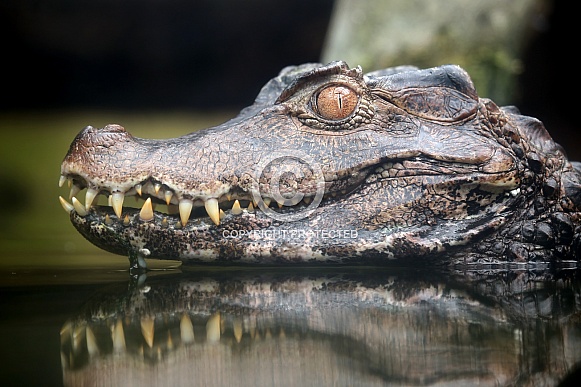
(364, 327)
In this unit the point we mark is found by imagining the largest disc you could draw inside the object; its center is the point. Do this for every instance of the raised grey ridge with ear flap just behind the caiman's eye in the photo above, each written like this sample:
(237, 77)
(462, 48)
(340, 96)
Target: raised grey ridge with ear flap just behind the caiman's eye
(443, 93)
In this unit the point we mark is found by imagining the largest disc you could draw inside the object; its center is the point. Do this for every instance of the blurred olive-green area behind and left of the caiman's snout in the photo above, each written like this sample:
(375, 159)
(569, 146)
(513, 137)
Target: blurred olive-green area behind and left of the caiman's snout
(35, 233)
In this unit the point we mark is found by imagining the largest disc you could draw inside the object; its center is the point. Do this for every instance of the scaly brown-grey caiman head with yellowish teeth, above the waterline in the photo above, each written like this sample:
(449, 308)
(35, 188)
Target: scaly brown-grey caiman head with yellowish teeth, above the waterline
(333, 165)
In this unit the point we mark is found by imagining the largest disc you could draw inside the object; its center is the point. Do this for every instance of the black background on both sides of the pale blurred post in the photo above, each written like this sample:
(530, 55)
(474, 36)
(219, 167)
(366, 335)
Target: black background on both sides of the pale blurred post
(178, 54)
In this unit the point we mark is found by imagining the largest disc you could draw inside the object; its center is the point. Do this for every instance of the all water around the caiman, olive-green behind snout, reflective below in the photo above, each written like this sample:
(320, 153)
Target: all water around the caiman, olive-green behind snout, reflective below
(71, 314)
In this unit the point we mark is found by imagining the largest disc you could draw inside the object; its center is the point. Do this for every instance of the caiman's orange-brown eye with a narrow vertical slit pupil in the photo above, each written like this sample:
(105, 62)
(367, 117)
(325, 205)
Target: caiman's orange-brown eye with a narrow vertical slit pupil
(336, 102)
